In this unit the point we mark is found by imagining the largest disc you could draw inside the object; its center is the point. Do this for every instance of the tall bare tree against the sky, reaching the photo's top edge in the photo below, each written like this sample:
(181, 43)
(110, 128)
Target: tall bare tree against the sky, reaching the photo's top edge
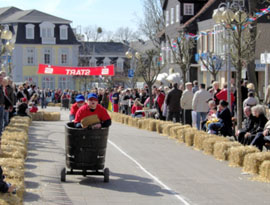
(153, 22)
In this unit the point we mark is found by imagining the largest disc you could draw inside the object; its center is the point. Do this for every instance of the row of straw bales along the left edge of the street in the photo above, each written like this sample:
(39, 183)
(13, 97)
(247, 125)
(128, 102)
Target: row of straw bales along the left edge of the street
(12, 158)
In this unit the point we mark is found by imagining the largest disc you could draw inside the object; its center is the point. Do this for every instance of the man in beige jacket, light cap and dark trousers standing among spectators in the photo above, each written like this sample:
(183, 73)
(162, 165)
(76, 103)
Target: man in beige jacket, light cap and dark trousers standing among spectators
(186, 103)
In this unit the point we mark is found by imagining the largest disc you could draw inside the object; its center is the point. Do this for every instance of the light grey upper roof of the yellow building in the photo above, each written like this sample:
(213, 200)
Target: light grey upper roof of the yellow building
(33, 16)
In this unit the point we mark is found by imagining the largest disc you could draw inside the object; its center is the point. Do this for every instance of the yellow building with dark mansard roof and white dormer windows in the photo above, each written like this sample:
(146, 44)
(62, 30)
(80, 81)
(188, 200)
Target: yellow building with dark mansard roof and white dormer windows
(40, 38)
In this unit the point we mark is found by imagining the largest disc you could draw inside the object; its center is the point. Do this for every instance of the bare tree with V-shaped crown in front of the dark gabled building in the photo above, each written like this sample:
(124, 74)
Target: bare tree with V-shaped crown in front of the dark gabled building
(182, 50)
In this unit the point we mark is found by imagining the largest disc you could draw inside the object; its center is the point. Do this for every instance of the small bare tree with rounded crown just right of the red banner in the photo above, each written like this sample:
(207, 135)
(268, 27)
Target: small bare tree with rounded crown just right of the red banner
(149, 66)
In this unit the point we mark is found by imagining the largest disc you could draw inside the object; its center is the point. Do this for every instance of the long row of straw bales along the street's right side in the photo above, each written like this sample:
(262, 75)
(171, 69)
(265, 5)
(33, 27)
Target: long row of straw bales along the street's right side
(252, 160)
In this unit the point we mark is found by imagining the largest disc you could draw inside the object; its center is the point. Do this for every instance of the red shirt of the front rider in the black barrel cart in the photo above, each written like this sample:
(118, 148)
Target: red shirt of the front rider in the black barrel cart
(85, 111)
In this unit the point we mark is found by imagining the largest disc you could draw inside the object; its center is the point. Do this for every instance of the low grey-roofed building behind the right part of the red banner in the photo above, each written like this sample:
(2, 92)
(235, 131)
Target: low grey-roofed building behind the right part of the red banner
(102, 54)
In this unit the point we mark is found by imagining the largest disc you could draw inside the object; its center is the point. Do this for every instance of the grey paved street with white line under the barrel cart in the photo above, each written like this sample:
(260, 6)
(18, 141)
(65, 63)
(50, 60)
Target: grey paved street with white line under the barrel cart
(146, 168)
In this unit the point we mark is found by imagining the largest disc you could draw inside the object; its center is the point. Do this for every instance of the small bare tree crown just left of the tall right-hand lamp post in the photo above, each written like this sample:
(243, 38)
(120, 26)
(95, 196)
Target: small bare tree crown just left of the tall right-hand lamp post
(212, 63)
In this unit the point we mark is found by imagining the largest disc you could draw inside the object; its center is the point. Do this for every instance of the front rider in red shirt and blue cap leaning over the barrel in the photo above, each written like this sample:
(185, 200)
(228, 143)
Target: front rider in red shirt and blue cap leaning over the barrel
(93, 108)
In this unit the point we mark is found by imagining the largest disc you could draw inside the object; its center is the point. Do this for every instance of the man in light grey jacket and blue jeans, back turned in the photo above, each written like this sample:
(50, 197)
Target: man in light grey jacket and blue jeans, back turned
(200, 105)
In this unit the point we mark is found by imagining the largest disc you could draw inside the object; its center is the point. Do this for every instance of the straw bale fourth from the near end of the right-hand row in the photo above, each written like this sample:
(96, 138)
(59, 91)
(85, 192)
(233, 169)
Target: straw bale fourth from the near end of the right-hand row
(221, 149)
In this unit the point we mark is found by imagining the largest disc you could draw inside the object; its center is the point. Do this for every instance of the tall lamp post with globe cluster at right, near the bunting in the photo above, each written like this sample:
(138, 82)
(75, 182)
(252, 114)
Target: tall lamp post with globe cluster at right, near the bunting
(226, 14)
